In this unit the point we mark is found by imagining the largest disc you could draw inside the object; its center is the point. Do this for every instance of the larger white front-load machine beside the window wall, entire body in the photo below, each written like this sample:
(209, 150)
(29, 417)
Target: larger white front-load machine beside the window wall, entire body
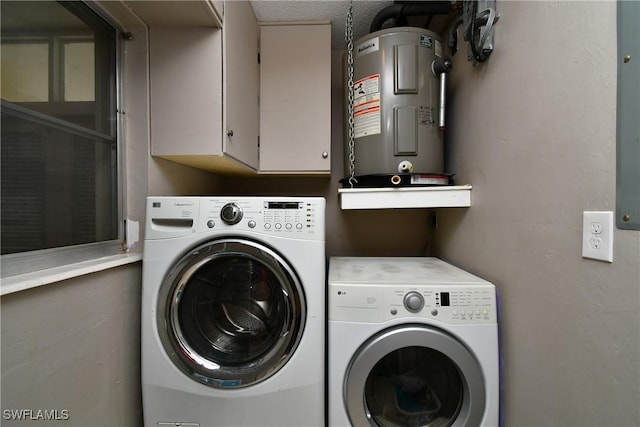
(233, 311)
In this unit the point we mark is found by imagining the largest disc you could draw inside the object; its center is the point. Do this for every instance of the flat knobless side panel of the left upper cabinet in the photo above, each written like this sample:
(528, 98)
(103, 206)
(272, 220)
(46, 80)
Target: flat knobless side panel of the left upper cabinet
(186, 86)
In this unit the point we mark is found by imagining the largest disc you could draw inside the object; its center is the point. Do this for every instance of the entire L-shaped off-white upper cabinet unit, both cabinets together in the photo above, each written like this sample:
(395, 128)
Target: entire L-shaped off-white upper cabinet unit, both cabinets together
(215, 107)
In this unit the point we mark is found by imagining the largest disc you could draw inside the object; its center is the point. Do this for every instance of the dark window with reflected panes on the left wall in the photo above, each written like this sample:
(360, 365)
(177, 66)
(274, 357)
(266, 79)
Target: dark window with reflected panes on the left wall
(59, 149)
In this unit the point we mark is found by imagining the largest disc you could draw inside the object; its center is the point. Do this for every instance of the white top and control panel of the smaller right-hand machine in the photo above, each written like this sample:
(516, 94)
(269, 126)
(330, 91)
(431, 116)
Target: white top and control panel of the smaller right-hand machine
(380, 289)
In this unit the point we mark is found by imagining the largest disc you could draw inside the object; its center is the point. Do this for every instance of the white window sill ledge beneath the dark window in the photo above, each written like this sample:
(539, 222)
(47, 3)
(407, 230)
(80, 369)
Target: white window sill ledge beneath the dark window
(35, 279)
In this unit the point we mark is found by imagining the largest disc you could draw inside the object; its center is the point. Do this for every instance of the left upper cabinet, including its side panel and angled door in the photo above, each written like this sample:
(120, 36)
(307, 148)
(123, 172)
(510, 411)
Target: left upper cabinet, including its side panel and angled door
(204, 92)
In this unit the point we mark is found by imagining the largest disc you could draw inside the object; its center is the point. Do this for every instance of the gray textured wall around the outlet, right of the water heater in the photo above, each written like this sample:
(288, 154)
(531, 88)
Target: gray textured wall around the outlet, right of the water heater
(533, 130)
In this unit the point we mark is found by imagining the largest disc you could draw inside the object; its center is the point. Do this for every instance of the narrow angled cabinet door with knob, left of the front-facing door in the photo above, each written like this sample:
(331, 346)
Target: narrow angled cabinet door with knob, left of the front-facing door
(240, 133)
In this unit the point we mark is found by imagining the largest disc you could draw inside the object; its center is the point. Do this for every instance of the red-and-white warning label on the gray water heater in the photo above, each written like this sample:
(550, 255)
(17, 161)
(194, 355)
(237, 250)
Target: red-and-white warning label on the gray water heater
(366, 106)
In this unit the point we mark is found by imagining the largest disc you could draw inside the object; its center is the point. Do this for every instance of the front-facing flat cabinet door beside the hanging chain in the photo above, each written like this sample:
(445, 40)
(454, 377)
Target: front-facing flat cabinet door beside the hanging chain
(295, 98)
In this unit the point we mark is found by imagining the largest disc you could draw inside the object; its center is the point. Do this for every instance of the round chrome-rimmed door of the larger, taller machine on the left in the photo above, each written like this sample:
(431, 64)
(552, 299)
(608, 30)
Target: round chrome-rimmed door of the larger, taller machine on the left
(231, 313)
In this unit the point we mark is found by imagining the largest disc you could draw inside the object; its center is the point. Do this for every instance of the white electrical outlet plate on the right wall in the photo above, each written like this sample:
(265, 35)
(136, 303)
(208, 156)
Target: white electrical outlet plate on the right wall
(597, 235)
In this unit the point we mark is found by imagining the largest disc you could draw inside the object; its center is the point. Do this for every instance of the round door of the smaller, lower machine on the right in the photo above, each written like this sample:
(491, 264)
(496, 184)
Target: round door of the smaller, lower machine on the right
(414, 376)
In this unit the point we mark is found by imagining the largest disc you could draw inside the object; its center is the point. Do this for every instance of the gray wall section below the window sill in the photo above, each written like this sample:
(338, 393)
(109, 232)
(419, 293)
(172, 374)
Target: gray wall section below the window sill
(75, 346)
